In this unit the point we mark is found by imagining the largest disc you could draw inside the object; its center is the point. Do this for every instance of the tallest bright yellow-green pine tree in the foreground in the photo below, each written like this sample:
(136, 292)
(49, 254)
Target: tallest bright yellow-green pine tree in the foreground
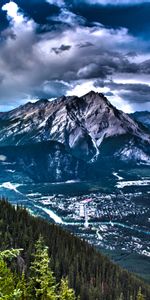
(42, 284)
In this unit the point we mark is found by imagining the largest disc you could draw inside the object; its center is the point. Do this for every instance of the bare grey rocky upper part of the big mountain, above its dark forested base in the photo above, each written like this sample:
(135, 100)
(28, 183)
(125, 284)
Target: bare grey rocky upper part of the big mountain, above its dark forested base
(79, 123)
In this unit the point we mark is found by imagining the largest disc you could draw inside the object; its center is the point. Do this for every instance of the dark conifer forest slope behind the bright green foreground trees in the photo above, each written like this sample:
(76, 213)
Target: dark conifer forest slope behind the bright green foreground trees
(91, 274)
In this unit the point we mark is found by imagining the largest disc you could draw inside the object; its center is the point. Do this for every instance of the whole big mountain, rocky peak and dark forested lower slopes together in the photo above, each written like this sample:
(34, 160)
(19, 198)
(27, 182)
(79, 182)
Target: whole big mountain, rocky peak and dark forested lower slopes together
(71, 138)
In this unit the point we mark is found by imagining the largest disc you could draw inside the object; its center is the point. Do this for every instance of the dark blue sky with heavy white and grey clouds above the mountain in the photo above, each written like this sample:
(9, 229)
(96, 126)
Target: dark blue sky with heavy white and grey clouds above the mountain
(50, 48)
